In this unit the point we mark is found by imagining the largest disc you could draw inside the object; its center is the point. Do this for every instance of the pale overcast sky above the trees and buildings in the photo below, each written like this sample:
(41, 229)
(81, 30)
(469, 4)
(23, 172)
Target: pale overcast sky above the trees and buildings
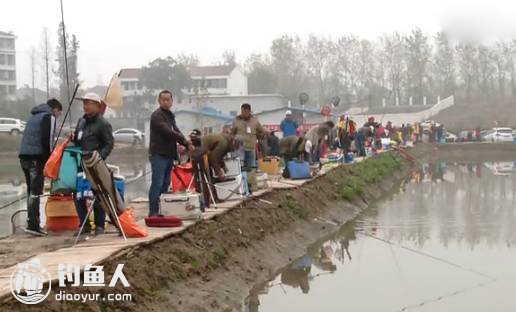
(117, 34)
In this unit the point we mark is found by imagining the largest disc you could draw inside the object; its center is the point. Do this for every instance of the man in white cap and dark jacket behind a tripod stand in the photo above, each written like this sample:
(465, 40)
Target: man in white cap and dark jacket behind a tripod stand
(93, 133)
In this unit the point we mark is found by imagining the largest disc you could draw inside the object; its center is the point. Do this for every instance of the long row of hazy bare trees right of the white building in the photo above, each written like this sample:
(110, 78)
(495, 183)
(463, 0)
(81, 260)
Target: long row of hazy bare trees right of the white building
(362, 72)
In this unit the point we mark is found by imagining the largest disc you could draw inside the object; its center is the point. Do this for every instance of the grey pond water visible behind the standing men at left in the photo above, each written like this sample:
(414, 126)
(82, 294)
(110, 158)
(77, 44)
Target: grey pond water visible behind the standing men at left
(13, 189)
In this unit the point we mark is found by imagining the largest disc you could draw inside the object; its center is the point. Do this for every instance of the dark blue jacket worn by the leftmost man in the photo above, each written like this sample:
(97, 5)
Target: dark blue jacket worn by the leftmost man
(37, 136)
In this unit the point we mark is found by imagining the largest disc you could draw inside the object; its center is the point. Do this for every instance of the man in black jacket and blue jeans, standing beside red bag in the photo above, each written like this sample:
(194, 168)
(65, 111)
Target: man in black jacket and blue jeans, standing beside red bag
(164, 136)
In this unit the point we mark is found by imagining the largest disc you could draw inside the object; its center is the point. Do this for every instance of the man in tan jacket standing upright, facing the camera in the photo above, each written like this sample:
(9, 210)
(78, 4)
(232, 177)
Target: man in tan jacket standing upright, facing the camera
(250, 130)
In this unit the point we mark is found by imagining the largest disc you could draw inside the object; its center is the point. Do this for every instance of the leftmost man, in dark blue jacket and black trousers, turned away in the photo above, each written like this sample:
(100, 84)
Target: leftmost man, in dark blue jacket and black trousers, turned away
(36, 146)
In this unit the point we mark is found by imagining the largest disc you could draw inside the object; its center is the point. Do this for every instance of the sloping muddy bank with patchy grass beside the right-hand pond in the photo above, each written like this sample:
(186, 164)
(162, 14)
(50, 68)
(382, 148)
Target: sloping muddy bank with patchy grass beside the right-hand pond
(212, 265)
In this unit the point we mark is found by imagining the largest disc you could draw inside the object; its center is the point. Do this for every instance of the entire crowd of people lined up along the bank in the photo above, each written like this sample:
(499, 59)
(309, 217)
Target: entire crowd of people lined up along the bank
(246, 138)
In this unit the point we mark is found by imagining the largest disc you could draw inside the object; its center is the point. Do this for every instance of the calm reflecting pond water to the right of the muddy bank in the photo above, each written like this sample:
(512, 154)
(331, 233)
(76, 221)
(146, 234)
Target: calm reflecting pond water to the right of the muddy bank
(444, 242)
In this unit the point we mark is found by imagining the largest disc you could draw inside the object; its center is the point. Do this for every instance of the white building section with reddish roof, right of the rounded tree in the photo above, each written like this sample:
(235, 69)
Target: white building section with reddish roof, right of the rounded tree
(218, 80)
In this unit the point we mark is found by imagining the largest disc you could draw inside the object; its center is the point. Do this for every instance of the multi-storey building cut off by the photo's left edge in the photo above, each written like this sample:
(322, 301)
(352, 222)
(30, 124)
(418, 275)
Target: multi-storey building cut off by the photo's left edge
(7, 65)
